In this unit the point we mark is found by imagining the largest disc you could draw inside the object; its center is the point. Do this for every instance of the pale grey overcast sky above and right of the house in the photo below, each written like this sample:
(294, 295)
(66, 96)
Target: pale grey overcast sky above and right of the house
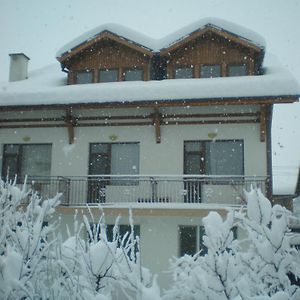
(39, 28)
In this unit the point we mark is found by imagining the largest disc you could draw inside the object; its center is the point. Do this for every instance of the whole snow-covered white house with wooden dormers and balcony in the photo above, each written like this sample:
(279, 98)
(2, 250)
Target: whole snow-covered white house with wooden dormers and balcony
(172, 128)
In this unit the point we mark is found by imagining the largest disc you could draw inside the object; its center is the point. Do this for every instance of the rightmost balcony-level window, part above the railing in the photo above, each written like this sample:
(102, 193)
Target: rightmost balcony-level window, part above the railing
(214, 157)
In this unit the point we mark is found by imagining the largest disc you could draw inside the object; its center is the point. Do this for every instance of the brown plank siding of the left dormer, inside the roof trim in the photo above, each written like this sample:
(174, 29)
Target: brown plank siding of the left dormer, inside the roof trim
(107, 55)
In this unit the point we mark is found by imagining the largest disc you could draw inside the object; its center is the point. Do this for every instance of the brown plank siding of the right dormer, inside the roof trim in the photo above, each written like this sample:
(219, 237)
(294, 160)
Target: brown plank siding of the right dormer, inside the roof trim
(211, 49)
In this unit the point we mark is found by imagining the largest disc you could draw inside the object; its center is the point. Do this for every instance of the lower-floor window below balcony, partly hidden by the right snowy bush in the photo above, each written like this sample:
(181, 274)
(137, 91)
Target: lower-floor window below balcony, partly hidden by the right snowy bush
(191, 239)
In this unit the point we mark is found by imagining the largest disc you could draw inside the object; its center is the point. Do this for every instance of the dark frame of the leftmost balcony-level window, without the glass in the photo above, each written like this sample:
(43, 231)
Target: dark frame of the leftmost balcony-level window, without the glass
(20, 155)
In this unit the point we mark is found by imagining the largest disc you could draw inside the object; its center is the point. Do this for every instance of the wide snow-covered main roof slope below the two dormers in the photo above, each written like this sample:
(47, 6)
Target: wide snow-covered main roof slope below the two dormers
(48, 86)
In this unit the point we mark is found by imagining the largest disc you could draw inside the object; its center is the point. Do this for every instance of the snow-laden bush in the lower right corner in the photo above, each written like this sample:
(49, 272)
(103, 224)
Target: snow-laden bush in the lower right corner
(256, 267)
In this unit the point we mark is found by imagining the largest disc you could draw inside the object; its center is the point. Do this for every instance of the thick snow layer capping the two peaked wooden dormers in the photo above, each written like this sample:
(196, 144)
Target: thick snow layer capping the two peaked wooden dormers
(157, 44)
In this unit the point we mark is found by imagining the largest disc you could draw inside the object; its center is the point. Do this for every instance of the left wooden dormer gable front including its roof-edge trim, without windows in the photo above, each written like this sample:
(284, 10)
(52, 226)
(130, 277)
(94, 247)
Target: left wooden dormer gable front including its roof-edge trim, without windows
(106, 51)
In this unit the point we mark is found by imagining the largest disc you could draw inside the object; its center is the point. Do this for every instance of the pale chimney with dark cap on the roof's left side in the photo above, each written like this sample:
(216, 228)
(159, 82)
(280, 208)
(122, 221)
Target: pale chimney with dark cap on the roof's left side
(18, 69)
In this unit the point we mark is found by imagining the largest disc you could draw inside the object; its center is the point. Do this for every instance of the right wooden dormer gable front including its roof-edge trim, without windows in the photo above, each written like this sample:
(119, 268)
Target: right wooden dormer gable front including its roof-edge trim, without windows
(212, 46)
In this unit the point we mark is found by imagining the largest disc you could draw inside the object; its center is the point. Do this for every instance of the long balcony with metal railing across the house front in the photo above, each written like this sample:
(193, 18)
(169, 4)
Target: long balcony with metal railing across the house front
(144, 189)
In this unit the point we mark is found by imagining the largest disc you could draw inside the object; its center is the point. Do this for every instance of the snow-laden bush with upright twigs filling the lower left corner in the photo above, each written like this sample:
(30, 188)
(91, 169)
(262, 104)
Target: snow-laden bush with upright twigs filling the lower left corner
(36, 263)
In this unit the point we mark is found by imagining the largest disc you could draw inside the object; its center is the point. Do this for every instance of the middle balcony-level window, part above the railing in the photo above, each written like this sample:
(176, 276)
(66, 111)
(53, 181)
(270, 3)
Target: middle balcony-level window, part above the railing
(114, 158)
